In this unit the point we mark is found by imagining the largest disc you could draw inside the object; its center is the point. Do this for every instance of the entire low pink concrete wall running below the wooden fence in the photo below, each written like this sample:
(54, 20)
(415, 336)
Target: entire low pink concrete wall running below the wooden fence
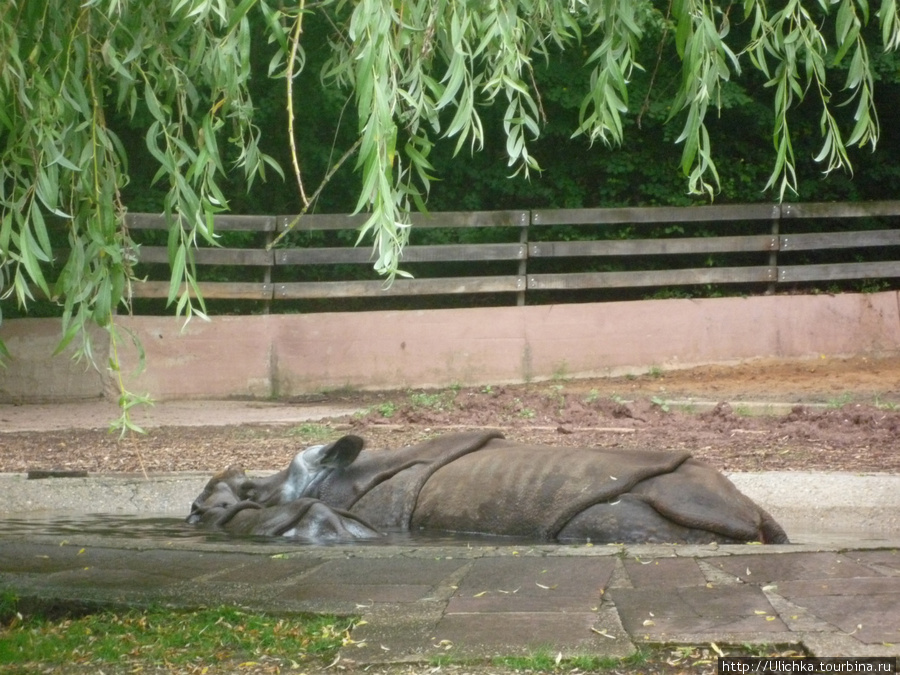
(286, 355)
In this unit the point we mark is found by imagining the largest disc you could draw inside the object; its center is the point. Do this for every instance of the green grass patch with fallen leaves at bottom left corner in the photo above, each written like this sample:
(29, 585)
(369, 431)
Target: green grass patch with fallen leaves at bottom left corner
(133, 637)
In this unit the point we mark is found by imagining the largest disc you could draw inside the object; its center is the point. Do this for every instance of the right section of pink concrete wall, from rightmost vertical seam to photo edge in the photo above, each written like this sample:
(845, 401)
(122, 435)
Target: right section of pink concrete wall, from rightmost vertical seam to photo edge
(601, 339)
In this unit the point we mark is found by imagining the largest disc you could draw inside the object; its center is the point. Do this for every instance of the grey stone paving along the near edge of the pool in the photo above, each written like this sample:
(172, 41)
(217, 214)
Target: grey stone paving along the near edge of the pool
(468, 602)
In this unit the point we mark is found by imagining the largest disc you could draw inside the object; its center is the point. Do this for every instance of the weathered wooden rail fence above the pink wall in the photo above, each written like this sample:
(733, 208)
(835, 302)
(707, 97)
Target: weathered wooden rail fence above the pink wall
(520, 254)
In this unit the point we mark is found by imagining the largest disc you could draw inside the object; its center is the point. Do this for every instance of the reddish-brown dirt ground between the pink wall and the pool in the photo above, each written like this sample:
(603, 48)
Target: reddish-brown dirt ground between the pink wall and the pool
(825, 414)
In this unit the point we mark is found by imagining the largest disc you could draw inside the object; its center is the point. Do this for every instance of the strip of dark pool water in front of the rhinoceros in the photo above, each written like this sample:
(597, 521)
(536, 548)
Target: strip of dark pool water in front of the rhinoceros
(167, 528)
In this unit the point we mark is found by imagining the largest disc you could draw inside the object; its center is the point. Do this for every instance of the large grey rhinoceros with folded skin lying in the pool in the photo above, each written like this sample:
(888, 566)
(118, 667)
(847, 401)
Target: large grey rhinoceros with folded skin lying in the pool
(482, 483)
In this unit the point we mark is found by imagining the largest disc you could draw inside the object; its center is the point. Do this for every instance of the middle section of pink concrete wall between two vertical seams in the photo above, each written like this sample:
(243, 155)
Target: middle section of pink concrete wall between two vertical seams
(385, 350)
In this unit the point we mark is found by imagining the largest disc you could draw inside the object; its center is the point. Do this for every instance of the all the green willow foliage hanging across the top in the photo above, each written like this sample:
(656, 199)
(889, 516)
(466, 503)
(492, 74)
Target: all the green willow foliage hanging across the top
(417, 70)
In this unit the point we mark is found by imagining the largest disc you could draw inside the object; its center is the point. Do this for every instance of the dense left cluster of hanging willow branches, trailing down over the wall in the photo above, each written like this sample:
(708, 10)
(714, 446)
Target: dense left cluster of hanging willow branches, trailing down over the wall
(185, 66)
